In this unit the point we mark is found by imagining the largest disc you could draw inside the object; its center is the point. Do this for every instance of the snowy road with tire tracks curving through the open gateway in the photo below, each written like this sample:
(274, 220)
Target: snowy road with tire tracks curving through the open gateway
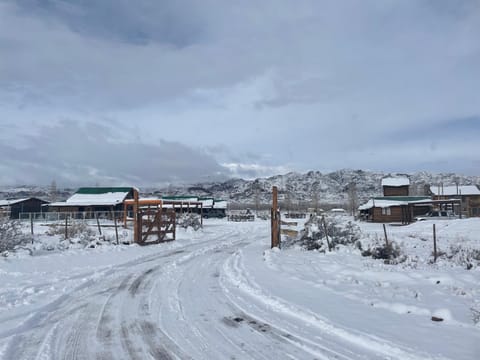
(220, 295)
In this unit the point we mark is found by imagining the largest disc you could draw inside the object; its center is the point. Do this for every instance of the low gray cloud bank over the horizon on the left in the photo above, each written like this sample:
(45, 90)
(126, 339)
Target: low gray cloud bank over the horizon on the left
(88, 154)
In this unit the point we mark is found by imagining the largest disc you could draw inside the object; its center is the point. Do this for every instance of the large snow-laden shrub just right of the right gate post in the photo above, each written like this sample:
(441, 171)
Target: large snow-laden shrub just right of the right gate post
(314, 236)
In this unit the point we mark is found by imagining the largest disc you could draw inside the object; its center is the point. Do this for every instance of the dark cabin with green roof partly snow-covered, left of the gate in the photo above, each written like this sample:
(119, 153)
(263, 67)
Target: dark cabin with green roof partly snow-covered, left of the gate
(90, 200)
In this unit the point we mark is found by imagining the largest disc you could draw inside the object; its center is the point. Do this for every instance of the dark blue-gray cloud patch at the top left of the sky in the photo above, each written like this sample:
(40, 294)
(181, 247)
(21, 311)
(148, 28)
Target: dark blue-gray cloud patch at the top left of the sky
(173, 23)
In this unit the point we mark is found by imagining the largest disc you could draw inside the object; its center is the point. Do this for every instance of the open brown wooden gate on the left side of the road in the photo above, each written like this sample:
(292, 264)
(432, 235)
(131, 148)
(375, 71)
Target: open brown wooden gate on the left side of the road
(155, 226)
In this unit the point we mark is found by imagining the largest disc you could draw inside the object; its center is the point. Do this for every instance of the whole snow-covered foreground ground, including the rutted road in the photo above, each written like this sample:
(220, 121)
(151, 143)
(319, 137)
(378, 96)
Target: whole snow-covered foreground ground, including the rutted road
(221, 293)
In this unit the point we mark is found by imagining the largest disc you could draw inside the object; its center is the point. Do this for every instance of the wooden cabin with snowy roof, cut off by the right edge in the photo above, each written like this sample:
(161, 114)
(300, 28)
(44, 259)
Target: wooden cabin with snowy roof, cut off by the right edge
(468, 196)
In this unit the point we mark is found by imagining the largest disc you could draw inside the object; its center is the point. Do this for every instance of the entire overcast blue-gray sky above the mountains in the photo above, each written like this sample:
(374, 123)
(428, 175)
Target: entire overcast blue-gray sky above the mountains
(148, 92)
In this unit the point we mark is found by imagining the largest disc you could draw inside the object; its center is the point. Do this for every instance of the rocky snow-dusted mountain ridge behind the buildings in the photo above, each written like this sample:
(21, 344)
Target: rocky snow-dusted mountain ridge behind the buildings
(326, 188)
